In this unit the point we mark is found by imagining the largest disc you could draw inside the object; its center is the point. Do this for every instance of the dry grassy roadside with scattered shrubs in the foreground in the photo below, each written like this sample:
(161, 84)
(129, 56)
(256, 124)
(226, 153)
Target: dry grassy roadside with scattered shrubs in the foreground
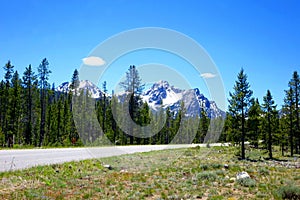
(194, 173)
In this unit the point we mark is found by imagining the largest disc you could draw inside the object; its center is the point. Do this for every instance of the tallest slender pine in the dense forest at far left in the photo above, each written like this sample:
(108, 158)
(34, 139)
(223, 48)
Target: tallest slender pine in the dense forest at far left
(43, 73)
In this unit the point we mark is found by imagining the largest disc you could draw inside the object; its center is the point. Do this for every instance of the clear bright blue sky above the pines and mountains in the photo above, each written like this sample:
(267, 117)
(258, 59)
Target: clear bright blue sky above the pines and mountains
(260, 36)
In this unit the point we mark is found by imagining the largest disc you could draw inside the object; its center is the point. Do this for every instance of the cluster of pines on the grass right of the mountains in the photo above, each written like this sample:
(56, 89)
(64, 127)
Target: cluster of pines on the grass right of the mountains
(249, 120)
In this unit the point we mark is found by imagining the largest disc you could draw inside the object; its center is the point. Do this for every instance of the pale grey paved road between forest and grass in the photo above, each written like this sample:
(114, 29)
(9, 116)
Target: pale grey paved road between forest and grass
(21, 159)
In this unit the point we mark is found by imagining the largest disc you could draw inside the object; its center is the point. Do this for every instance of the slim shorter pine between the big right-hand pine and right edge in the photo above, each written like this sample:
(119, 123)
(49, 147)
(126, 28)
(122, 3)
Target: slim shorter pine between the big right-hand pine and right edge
(269, 106)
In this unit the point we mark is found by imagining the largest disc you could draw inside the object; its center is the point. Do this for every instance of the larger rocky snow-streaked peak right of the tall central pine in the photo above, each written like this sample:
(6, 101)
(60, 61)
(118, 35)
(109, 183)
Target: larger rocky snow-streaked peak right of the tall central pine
(161, 94)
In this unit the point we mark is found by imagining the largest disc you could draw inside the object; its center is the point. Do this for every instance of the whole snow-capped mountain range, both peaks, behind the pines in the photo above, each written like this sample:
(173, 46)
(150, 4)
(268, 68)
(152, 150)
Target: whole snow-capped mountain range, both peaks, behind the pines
(161, 95)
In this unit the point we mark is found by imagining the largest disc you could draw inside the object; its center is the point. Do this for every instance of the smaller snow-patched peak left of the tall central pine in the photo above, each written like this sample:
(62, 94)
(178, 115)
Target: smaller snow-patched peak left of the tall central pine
(86, 85)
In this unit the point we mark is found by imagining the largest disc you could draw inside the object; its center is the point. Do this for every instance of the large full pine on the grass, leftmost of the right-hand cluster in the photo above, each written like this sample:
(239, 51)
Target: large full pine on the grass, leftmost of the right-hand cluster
(239, 103)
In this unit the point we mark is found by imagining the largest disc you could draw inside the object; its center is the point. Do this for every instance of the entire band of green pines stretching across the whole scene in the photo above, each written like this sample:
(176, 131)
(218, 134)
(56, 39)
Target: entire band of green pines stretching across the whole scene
(33, 113)
